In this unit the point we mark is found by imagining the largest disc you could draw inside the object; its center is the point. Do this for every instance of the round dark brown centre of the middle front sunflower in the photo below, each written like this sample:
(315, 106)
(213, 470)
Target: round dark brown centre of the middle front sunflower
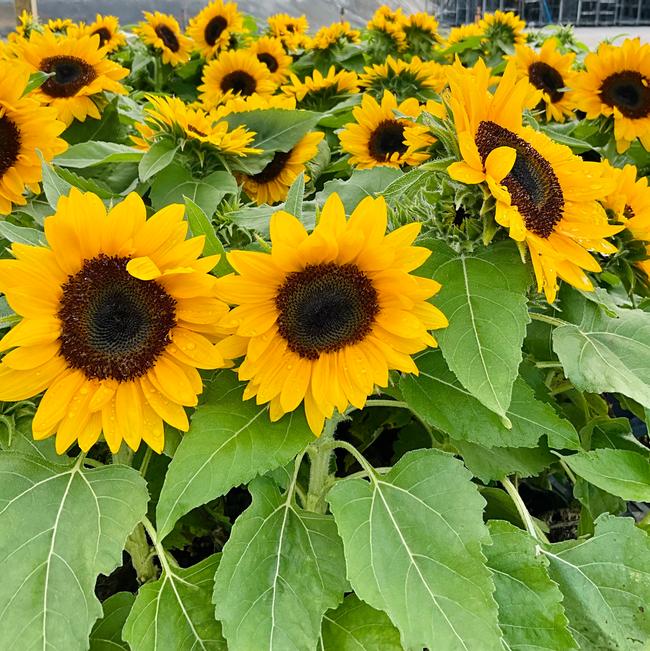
(324, 308)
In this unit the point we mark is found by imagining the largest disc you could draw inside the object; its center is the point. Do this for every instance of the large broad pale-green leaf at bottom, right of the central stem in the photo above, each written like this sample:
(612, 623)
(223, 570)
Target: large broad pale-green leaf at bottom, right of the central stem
(412, 541)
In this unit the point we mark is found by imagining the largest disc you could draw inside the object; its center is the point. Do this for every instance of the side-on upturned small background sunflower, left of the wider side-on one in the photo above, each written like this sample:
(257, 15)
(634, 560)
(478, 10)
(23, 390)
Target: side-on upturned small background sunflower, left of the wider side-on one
(321, 93)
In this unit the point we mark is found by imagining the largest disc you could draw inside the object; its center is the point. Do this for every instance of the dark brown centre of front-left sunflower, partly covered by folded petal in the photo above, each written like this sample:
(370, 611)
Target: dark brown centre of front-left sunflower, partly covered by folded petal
(112, 324)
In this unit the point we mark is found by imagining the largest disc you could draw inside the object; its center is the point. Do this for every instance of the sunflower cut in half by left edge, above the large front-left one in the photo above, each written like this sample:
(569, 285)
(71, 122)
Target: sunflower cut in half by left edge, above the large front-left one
(26, 128)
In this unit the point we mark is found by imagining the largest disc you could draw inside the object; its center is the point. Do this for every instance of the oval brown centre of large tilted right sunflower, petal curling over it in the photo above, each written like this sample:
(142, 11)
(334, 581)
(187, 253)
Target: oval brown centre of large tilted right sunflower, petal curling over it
(533, 186)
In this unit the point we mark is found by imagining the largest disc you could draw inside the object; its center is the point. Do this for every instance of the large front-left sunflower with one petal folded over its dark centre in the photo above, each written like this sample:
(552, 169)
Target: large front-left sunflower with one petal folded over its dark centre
(118, 312)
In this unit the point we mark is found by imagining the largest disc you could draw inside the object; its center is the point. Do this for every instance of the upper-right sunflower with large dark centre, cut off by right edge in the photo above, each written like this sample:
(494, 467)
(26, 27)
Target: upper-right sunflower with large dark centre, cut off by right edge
(616, 83)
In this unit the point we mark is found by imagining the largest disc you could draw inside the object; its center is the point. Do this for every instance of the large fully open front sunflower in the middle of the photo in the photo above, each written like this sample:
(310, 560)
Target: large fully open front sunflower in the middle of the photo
(322, 318)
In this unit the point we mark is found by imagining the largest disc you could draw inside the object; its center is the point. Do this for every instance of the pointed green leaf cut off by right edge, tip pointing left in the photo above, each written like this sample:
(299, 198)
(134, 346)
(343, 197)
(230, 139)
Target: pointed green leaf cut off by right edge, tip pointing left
(619, 472)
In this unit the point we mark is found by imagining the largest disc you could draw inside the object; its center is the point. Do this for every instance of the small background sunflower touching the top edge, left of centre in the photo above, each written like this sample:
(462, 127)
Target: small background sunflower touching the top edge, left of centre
(212, 27)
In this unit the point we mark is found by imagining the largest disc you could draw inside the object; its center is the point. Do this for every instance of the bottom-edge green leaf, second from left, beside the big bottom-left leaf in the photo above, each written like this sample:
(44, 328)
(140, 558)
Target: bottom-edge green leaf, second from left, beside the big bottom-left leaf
(176, 611)
